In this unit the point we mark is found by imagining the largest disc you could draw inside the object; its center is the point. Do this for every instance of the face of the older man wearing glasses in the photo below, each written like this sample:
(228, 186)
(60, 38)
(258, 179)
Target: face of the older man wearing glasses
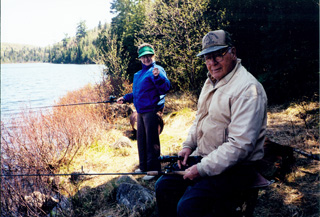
(221, 62)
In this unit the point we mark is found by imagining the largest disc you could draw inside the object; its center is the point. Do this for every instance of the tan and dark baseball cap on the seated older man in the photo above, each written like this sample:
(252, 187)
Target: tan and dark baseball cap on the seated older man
(215, 40)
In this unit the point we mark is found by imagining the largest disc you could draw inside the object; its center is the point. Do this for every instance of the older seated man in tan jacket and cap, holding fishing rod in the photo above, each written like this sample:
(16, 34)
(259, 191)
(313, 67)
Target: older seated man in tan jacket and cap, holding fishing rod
(228, 133)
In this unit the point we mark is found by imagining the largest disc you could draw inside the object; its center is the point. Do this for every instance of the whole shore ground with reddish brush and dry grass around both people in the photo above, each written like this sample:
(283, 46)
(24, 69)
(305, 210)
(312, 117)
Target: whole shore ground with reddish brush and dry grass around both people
(81, 139)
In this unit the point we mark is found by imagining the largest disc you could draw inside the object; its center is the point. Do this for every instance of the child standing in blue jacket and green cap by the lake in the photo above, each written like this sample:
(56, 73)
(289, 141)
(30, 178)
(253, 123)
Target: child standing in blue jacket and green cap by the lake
(148, 95)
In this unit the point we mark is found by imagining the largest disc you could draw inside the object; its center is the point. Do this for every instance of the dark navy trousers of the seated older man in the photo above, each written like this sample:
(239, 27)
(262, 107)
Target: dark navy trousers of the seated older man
(185, 198)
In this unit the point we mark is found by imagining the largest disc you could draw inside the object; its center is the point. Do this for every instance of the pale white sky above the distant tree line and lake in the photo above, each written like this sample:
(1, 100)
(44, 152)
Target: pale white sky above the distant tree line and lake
(45, 22)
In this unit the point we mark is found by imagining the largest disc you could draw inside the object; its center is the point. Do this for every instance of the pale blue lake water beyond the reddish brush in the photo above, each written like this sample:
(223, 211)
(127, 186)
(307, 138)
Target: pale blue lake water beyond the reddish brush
(41, 84)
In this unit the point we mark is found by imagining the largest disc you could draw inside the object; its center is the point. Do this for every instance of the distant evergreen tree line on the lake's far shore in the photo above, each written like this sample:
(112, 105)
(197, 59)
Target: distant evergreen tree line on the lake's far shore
(80, 49)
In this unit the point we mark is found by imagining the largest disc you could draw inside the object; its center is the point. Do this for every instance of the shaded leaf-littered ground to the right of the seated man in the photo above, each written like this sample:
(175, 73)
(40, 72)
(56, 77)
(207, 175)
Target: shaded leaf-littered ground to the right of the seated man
(296, 193)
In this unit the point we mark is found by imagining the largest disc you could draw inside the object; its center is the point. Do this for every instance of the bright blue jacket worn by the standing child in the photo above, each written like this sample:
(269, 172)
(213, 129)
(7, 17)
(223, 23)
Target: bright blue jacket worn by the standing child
(148, 91)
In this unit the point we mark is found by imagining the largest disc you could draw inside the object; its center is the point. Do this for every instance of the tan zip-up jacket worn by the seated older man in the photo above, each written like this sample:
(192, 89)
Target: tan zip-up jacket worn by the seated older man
(230, 122)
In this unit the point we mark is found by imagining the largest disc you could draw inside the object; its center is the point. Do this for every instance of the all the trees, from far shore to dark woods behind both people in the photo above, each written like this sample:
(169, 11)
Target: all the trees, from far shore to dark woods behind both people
(278, 42)
